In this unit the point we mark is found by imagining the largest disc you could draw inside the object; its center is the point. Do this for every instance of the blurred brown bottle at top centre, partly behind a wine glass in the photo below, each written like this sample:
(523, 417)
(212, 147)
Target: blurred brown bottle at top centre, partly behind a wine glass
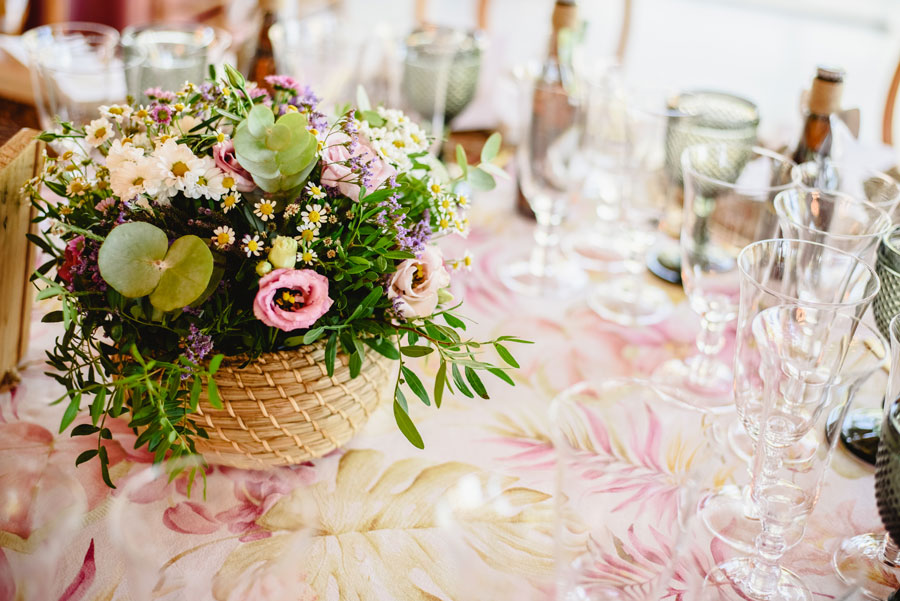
(555, 75)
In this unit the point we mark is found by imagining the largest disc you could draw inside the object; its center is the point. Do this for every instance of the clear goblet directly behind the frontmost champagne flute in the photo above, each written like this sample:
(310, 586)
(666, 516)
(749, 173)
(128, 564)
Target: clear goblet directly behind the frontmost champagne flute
(776, 272)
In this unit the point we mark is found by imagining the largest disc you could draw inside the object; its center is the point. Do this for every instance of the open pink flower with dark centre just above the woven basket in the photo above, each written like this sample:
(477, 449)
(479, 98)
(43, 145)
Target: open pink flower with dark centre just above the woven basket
(291, 299)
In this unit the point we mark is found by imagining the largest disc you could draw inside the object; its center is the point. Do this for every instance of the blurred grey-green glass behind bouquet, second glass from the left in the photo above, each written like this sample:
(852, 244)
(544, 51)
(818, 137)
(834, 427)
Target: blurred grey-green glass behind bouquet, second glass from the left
(169, 55)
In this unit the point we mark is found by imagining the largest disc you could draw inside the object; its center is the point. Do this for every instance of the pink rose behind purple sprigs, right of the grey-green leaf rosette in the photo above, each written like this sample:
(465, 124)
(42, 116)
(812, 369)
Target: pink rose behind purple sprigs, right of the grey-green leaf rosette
(337, 173)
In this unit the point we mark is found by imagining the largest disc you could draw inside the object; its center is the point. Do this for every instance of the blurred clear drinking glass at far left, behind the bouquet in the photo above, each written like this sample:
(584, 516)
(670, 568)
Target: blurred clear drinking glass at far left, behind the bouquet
(75, 68)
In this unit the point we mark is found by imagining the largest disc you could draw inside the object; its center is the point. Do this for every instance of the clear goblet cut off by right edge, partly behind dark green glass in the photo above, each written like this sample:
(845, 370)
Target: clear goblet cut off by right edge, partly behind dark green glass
(871, 561)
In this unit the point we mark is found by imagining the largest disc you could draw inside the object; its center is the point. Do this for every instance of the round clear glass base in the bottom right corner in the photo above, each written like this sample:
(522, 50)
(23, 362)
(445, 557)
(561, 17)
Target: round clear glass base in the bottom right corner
(856, 562)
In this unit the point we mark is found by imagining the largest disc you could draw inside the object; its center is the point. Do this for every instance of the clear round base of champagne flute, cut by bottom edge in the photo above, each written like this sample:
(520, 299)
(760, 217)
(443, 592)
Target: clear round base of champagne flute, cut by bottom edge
(729, 582)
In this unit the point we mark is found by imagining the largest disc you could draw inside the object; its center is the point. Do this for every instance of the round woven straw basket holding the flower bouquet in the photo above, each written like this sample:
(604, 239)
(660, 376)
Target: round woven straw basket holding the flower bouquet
(282, 408)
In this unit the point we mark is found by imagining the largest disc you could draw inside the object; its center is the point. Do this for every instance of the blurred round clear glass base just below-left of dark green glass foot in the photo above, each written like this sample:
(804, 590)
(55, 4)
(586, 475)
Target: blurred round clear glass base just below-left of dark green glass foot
(629, 303)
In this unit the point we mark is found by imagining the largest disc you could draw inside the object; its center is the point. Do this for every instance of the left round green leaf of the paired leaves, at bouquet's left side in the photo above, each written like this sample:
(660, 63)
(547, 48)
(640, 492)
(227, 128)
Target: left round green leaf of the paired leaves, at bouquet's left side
(131, 256)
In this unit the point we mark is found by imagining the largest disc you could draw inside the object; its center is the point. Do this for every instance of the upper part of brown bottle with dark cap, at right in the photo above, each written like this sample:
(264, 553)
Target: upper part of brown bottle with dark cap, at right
(816, 142)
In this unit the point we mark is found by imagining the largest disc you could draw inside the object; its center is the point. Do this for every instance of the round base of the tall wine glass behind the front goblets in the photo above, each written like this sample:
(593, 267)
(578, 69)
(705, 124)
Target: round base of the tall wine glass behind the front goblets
(712, 392)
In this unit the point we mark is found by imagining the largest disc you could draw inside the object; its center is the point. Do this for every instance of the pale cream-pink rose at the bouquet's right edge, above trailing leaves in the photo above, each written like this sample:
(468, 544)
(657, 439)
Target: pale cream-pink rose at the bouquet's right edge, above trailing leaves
(416, 283)
